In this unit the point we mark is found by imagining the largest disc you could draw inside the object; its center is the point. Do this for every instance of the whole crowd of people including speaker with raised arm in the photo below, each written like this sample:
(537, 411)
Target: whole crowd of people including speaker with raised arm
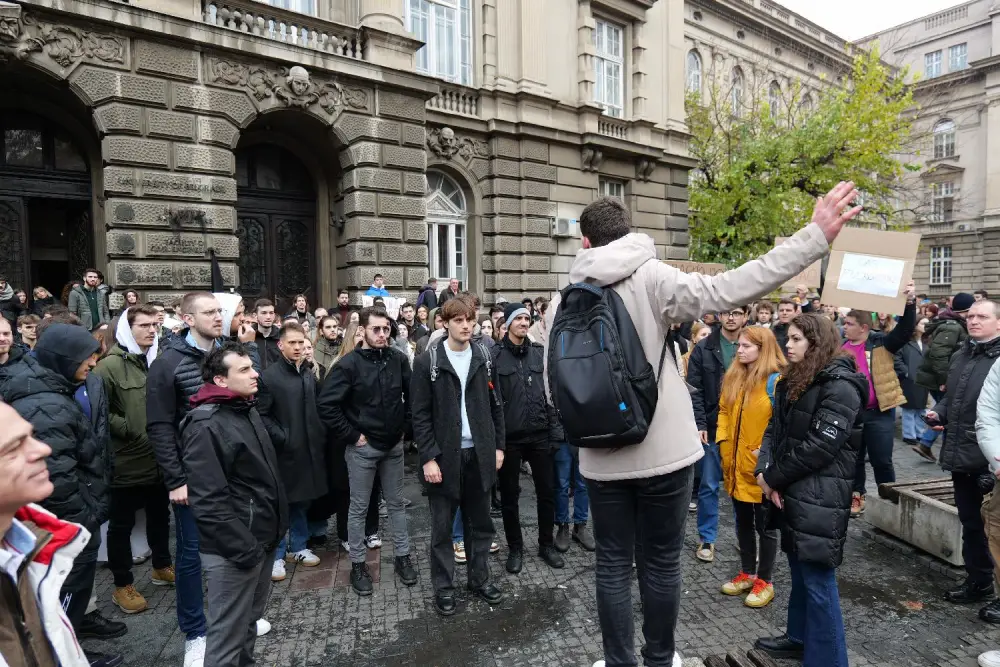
(267, 437)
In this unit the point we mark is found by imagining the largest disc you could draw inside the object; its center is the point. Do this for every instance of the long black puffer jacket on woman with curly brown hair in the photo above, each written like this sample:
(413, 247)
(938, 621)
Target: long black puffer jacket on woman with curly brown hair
(809, 454)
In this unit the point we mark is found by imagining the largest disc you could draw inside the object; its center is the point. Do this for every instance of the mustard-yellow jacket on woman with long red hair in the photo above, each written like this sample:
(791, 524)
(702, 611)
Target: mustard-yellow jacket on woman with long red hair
(740, 432)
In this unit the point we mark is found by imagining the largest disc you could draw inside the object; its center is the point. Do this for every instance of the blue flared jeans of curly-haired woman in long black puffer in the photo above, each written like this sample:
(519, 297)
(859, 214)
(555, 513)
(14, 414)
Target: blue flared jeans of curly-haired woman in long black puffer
(814, 617)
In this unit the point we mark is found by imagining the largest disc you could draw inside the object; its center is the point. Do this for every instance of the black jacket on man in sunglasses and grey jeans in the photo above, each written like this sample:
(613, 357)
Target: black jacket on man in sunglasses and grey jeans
(367, 393)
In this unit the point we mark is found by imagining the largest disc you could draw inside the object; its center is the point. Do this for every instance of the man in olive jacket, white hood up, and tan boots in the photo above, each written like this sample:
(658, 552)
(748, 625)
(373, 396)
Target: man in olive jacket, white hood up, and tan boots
(135, 482)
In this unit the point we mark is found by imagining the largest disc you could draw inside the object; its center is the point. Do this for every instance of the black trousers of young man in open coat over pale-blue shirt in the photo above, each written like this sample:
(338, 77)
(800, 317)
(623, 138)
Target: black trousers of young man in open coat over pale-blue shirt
(475, 505)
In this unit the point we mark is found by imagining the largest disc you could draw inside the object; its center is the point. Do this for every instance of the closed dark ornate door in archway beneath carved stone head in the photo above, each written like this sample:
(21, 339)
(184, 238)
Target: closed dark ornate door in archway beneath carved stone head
(276, 226)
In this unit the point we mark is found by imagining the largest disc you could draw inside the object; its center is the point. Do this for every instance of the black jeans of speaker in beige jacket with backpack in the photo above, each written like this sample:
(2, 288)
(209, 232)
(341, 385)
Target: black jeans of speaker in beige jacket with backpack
(654, 508)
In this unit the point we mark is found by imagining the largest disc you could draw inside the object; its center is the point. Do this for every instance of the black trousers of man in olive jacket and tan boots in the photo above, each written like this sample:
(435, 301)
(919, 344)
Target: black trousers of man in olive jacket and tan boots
(125, 502)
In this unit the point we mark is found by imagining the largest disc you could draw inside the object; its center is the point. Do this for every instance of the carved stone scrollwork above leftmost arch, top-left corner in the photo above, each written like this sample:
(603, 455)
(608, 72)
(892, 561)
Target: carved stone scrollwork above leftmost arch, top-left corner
(22, 34)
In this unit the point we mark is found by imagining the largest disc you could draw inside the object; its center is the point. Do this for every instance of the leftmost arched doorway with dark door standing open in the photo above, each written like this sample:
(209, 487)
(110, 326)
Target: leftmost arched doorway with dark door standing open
(46, 234)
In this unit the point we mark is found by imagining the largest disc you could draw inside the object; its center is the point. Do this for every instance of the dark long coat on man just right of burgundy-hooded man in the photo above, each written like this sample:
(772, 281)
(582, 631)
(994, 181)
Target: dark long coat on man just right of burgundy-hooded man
(287, 403)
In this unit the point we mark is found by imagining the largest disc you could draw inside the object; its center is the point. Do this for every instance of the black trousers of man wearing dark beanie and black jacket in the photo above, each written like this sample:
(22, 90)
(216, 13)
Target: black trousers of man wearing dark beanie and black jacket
(540, 459)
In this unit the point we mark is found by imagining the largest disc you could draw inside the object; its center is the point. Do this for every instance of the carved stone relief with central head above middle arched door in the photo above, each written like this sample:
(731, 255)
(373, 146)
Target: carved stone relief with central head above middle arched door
(289, 87)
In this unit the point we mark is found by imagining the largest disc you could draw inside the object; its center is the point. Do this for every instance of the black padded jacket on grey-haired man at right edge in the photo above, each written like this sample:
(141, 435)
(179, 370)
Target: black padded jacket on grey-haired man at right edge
(957, 408)
